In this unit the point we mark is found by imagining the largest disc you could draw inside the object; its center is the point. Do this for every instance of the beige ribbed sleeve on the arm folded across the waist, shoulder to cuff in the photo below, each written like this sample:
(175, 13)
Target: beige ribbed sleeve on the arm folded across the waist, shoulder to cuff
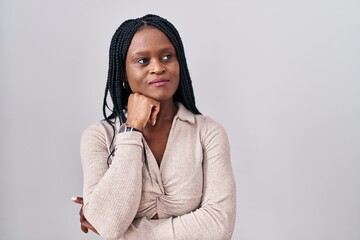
(215, 218)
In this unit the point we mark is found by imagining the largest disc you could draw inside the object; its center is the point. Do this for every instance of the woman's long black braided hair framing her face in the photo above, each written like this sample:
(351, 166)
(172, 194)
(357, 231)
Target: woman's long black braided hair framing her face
(117, 80)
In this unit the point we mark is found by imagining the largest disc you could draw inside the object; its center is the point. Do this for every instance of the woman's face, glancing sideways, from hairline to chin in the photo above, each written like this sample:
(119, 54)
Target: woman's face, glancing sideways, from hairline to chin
(152, 67)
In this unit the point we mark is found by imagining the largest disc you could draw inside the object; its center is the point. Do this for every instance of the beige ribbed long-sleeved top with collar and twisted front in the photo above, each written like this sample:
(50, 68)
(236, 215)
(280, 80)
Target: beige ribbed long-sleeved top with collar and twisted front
(193, 192)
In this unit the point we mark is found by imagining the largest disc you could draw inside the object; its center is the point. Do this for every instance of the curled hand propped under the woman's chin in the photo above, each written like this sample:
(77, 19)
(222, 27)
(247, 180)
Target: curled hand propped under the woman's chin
(141, 110)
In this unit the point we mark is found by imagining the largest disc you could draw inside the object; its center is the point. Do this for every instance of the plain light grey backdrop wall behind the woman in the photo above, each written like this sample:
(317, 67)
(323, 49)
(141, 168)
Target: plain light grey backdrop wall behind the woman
(282, 77)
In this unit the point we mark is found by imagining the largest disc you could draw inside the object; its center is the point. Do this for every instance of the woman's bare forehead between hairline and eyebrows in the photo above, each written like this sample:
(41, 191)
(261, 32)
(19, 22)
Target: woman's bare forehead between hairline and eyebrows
(149, 39)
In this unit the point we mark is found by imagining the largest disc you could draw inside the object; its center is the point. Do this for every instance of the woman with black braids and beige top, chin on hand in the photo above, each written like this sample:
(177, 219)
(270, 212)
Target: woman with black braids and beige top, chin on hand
(155, 168)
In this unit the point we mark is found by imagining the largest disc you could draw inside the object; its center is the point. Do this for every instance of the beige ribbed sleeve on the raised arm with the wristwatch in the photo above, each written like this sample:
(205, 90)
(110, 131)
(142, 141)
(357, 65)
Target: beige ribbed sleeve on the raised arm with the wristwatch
(111, 194)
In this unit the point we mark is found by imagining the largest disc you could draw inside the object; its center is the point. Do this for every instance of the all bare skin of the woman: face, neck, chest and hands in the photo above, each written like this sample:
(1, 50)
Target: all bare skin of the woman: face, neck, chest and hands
(152, 70)
